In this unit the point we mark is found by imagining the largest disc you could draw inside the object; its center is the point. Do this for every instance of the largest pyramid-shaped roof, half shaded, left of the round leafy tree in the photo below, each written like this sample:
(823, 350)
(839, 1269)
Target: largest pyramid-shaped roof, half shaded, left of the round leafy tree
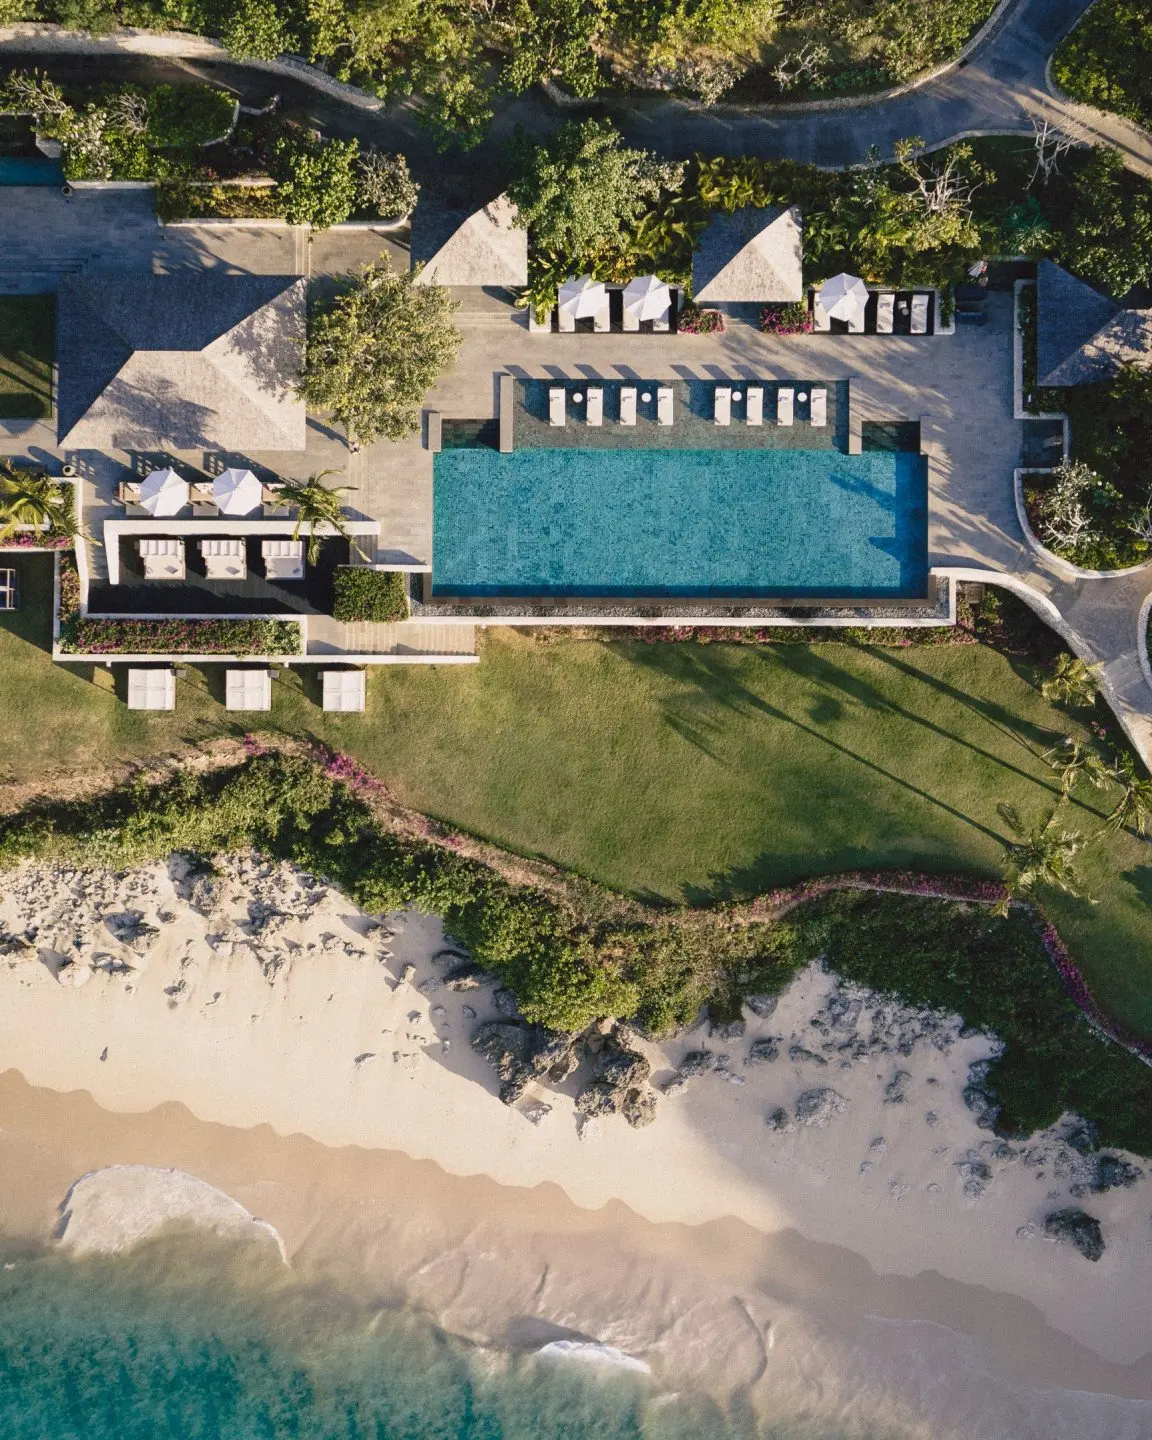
(188, 361)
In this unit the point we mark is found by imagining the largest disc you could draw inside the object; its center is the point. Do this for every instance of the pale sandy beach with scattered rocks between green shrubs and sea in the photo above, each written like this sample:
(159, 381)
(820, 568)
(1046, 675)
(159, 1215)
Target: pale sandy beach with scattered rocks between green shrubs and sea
(876, 1258)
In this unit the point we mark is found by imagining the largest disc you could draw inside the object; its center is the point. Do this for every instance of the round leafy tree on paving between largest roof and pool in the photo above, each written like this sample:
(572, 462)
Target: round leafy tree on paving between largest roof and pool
(375, 351)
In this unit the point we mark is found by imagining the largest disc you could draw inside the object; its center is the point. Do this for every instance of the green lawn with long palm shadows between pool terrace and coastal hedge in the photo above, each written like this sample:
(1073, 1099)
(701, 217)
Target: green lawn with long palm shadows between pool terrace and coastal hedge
(683, 773)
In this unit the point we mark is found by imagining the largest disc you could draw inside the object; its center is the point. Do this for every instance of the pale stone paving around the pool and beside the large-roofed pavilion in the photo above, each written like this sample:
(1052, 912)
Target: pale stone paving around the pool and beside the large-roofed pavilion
(960, 388)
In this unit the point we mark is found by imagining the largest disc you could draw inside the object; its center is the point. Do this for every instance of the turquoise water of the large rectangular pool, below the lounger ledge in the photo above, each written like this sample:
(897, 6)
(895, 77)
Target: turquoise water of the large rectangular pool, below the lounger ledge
(680, 523)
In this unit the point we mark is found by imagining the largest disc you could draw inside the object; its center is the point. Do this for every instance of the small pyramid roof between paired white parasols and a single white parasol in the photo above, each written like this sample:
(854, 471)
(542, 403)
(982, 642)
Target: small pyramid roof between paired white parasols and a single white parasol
(751, 256)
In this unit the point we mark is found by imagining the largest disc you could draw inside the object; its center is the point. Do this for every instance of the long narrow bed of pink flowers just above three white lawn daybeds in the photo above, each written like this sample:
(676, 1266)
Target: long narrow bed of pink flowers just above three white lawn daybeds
(104, 636)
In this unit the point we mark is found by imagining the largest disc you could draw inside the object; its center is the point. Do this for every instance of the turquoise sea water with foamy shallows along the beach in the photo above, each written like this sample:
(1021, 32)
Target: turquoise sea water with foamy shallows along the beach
(188, 1340)
